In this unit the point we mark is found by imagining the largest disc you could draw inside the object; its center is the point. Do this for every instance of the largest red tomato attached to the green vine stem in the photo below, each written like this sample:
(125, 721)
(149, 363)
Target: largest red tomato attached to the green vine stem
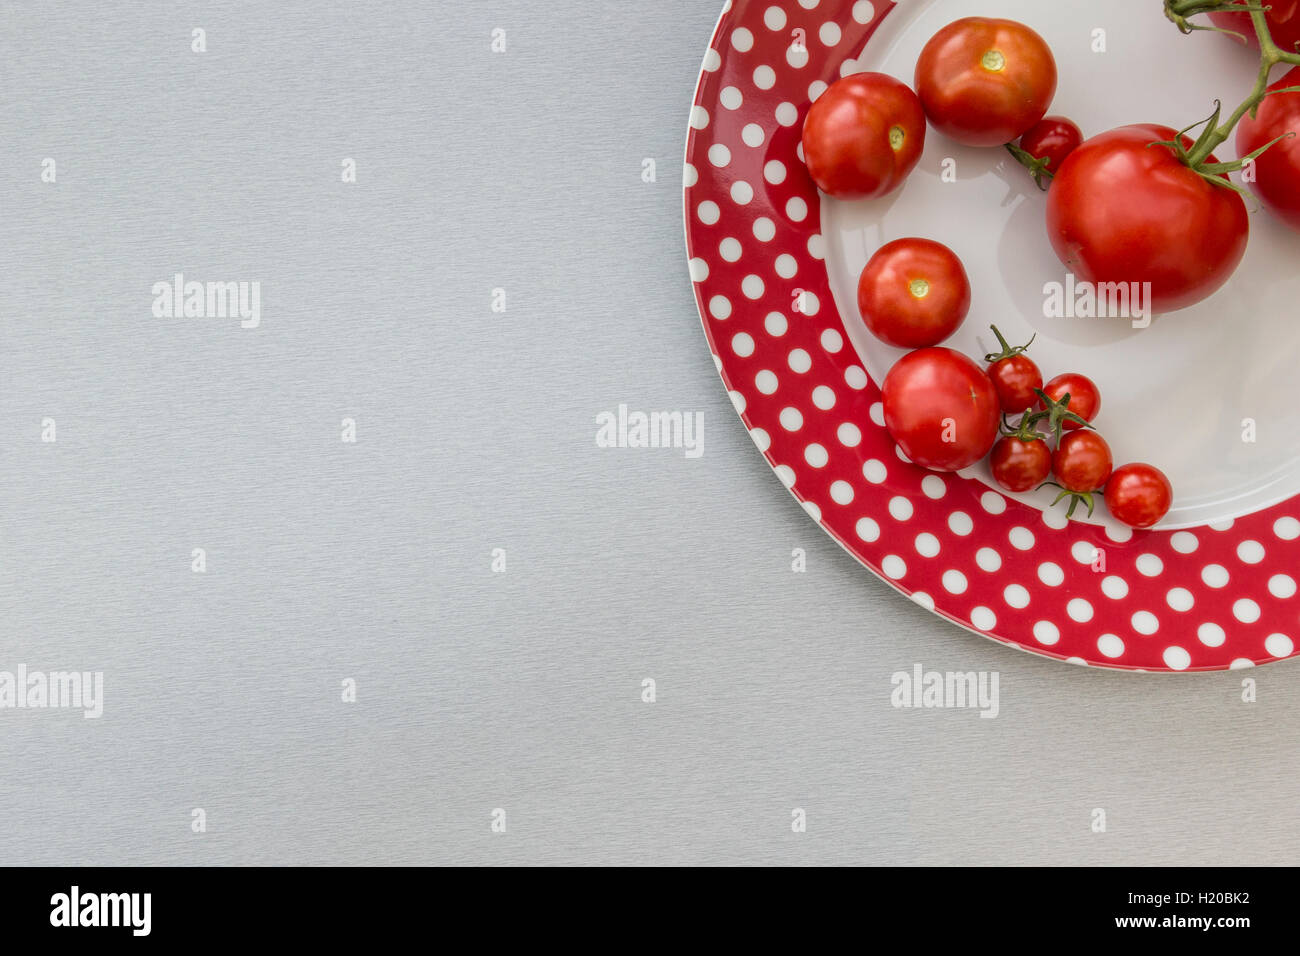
(1125, 211)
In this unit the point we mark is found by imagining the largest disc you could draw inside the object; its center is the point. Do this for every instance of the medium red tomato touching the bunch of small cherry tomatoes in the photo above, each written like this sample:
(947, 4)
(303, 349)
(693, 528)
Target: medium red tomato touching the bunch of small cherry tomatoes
(942, 409)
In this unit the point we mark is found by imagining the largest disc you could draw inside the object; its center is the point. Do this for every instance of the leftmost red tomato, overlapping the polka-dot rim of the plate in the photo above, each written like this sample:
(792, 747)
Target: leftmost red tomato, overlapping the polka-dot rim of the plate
(864, 136)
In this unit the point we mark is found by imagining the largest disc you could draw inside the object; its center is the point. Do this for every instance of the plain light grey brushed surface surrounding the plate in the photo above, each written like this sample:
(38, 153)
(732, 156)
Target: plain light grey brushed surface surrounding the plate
(476, 430)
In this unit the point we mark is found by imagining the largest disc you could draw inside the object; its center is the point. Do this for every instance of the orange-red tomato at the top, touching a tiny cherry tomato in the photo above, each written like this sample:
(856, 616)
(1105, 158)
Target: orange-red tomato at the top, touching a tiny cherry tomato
(985, 83)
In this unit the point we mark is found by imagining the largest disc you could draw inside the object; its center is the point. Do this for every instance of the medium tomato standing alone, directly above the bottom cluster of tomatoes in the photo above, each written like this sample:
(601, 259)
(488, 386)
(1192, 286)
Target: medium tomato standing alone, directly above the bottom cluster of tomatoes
(915, 293)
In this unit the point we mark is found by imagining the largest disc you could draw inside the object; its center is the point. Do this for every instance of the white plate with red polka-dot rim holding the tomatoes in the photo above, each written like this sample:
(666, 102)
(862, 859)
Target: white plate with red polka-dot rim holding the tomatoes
(774, 267)
